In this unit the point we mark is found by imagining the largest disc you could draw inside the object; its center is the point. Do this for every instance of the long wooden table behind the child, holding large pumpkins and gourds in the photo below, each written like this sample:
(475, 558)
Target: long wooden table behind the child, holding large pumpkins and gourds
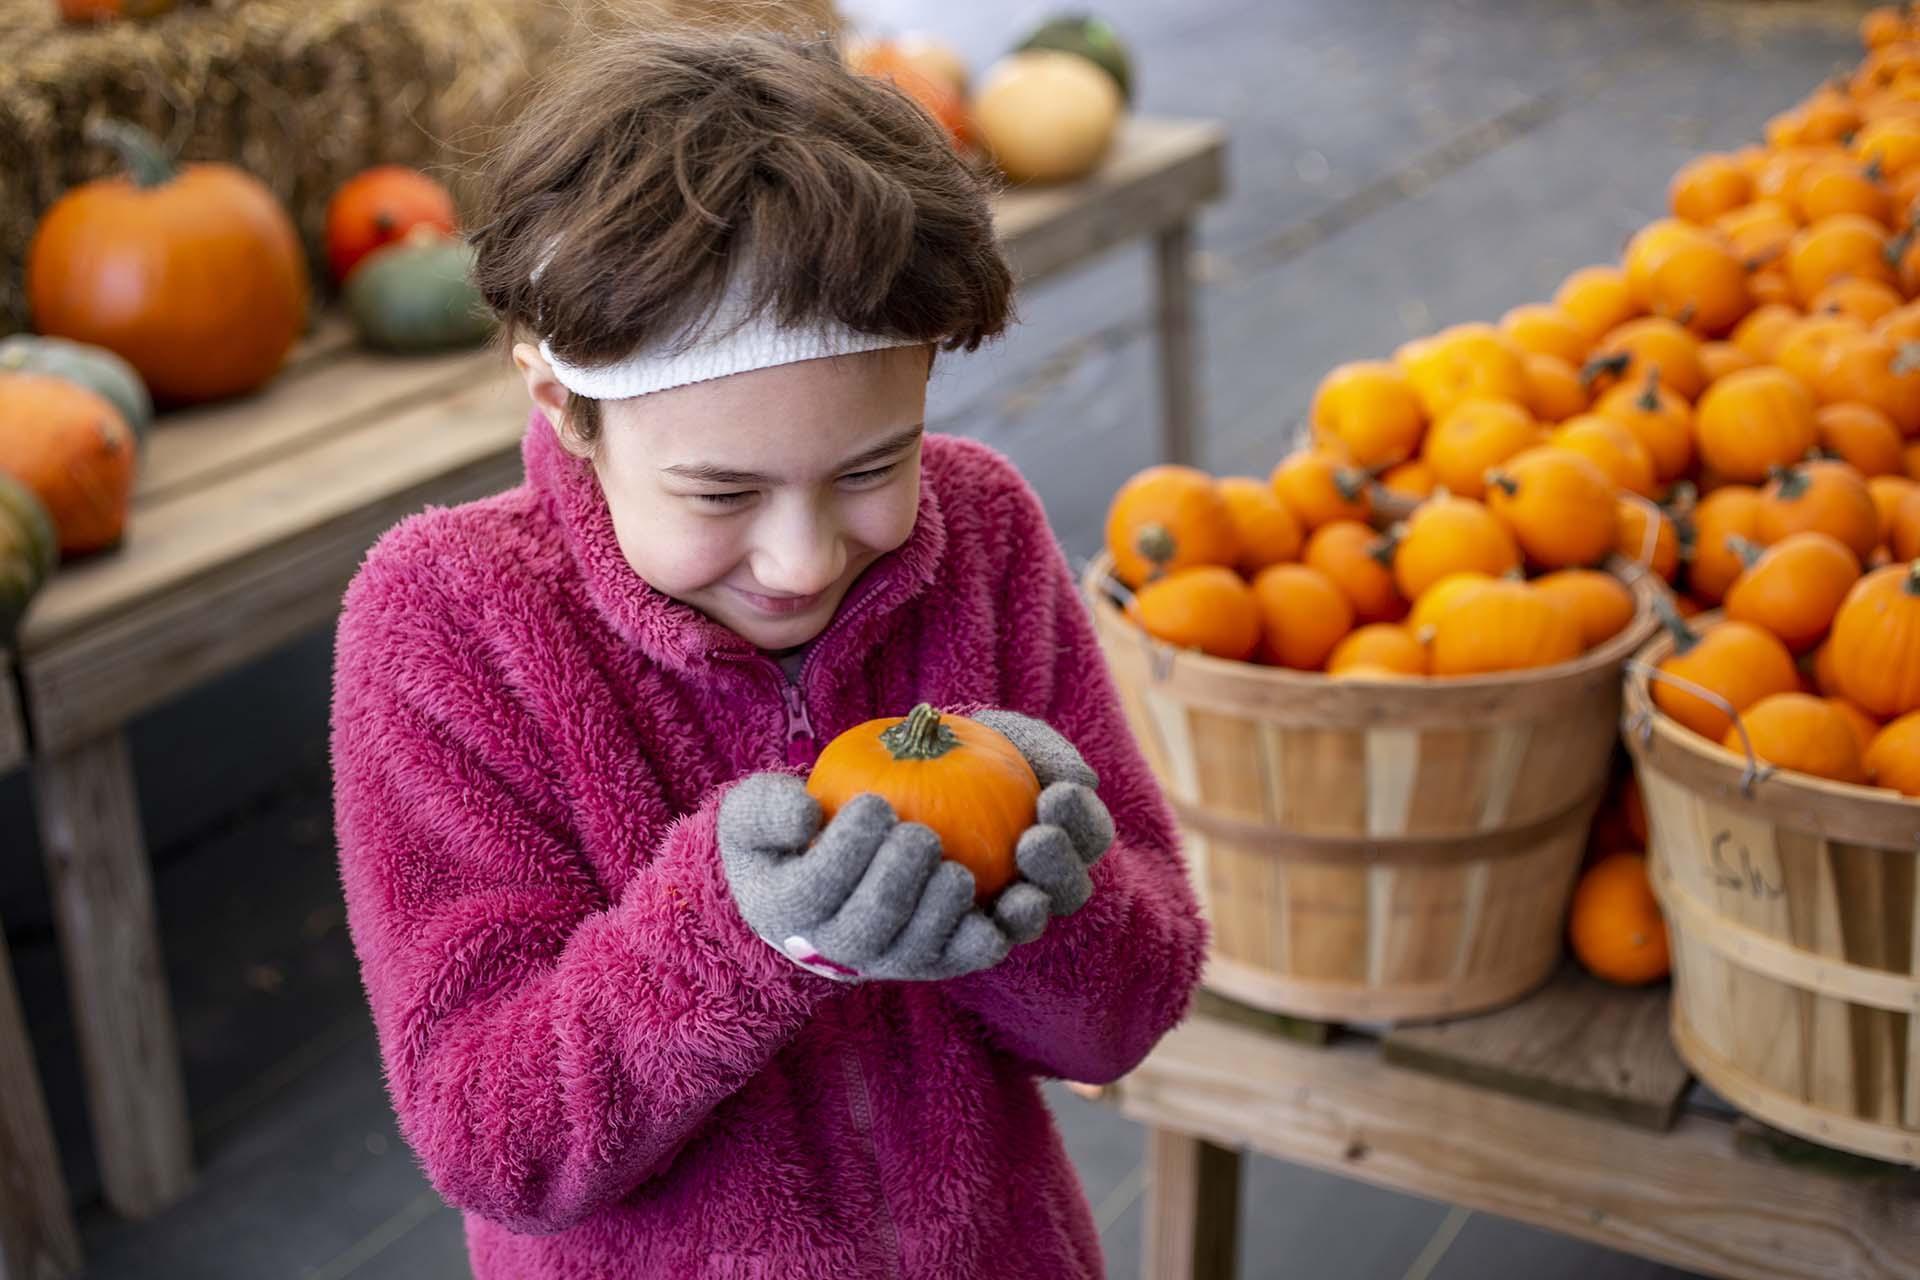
(249, 523)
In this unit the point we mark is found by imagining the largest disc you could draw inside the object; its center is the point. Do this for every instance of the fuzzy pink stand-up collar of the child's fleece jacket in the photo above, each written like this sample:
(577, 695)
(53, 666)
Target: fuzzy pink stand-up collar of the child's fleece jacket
(663, 628)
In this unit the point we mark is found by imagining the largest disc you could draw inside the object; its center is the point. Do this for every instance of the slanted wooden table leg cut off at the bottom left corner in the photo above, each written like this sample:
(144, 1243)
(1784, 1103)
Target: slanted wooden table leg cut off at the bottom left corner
(37, 1239)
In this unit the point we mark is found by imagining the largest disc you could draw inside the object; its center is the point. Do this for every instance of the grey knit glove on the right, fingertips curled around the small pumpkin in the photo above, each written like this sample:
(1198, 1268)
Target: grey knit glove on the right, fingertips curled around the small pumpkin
(1070, 834)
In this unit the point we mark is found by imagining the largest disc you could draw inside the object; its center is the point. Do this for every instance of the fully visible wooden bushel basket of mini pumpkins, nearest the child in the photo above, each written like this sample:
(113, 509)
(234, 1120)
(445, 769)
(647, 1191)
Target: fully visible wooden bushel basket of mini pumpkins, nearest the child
(1374, 851)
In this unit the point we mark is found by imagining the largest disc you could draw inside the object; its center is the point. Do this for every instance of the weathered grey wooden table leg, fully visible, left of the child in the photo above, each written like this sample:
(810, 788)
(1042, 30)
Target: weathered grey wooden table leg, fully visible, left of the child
(110, 943)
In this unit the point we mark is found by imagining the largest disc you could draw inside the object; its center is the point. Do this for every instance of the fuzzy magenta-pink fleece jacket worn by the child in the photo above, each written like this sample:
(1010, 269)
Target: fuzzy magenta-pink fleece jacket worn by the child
(588, 1051)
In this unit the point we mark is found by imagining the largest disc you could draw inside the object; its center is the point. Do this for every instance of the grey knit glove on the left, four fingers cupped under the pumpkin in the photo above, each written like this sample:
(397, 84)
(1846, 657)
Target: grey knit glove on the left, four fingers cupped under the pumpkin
(869, 897)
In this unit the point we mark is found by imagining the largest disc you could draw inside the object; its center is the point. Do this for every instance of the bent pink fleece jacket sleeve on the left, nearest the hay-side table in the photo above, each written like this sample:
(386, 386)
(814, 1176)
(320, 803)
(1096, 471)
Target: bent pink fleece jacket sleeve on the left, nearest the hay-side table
(546, 1049)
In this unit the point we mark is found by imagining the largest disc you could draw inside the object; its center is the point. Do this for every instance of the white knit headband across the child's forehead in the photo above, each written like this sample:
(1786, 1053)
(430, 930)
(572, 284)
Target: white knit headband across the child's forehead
(731, 343)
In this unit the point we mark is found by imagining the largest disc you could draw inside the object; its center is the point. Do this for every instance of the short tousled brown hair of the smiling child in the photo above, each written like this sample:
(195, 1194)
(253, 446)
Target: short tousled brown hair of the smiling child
(642, 166)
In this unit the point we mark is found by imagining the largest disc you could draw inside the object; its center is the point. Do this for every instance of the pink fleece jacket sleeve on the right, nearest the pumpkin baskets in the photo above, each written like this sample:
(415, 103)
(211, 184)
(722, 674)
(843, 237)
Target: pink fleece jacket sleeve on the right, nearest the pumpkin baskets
(1097, 991)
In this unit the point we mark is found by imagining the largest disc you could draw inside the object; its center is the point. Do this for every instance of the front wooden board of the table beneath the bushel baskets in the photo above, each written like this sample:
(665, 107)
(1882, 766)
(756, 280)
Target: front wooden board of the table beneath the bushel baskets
(1691, 1197)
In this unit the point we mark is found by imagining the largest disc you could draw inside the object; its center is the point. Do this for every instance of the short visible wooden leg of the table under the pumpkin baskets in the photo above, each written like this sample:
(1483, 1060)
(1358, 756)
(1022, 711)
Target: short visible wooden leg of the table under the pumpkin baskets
(1193, 1208)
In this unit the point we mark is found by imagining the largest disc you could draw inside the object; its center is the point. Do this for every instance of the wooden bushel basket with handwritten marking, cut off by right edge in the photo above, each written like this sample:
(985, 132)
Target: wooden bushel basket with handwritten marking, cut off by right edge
(1792, 913)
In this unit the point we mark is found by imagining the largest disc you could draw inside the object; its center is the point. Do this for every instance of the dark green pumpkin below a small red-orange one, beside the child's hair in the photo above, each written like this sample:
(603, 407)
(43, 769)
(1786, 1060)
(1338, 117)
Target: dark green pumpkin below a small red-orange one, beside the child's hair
(418, 295)
